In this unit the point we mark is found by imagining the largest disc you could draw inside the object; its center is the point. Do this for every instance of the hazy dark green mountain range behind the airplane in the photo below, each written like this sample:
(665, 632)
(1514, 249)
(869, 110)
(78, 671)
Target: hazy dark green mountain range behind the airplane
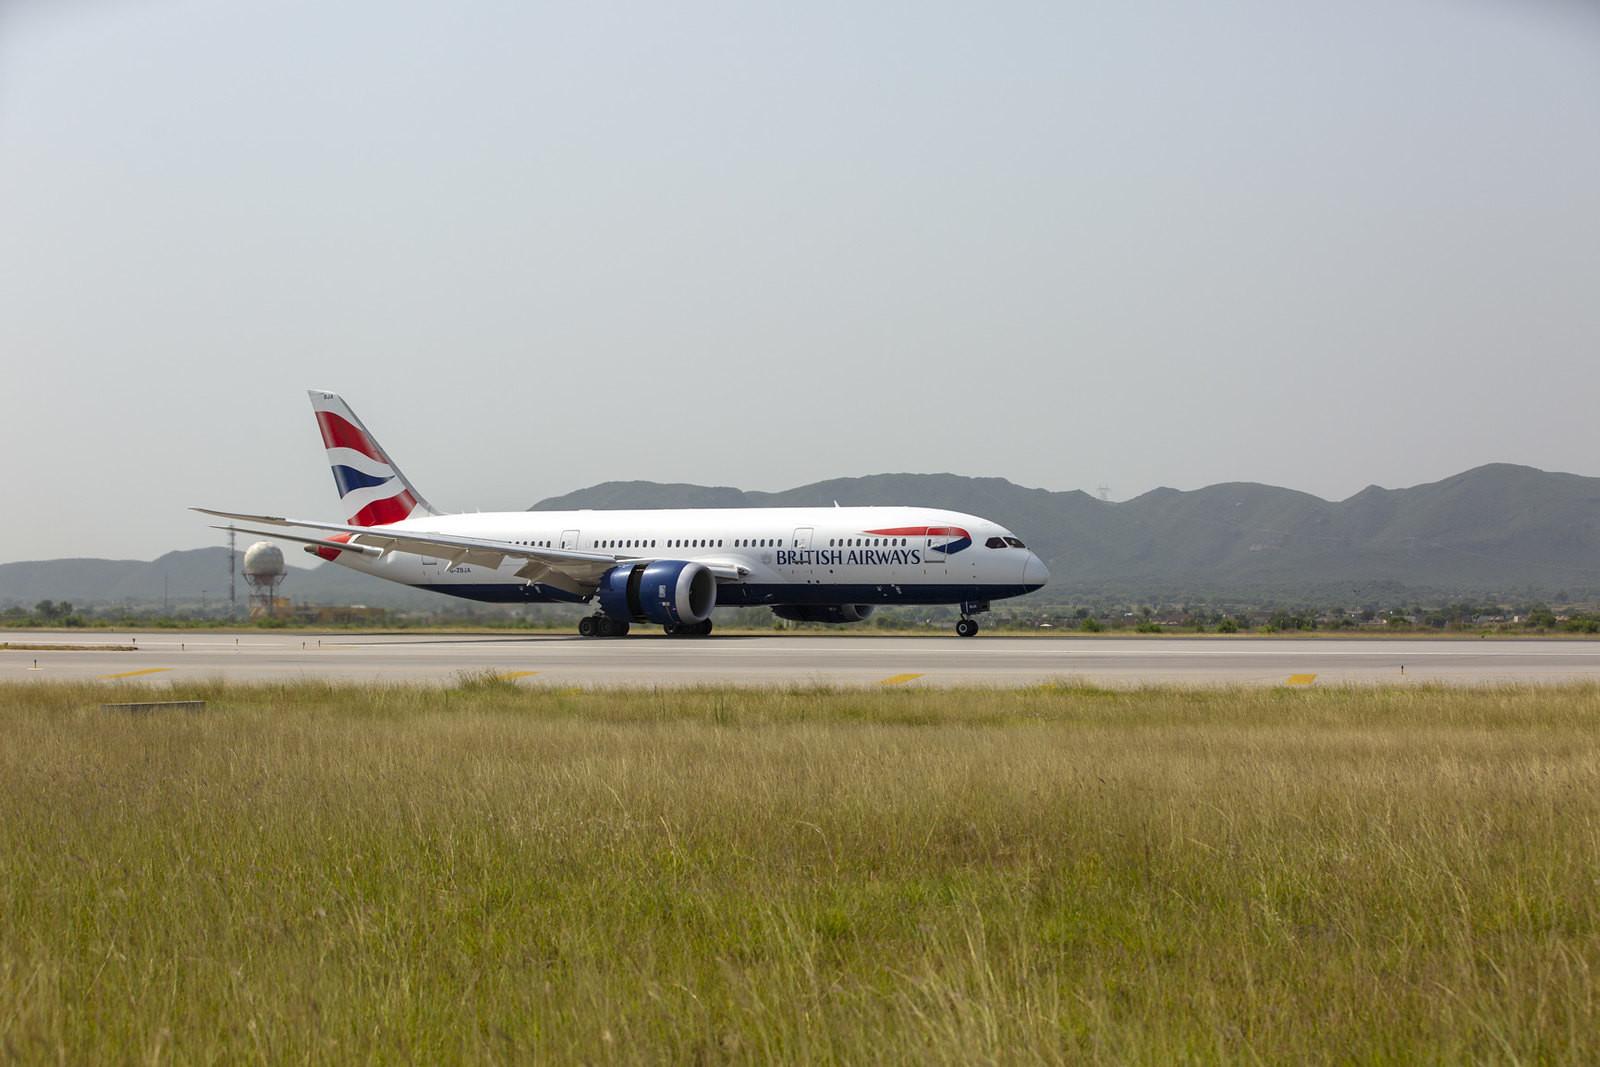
(1492, 533)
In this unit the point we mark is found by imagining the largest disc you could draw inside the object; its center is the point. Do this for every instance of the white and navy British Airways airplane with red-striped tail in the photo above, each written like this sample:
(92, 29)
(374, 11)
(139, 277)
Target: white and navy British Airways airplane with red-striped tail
(668, 567)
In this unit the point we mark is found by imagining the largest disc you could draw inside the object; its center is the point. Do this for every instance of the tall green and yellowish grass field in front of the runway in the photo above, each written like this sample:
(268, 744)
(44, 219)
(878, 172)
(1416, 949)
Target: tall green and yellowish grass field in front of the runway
(322, 874)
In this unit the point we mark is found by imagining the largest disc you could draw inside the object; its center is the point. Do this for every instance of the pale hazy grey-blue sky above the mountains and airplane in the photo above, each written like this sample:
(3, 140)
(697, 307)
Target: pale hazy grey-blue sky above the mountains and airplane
(538, 247)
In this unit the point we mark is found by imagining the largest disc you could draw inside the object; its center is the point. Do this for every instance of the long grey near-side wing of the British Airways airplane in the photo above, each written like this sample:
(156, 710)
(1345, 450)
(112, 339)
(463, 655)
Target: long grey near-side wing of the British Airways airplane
(564, 569)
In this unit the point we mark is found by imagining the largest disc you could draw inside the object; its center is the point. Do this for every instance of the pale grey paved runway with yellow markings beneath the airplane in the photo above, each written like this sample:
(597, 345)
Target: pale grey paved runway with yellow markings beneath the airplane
(442, 660)
